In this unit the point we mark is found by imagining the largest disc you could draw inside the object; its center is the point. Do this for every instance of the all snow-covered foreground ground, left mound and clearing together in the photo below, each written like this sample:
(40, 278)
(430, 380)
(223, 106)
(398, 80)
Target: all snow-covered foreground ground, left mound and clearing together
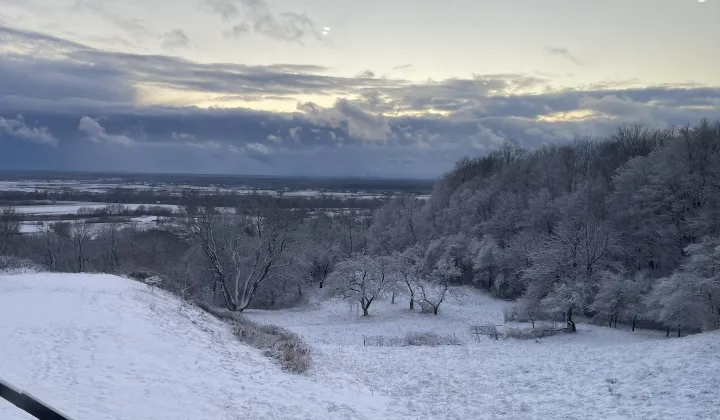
(102, 347)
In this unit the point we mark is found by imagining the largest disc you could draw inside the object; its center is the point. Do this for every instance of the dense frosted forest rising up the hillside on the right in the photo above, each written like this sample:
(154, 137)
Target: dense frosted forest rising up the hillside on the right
(624, 230)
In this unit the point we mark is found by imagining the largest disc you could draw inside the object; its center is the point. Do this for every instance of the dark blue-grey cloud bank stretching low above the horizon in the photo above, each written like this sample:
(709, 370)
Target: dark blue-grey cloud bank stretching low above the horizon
(64, 105)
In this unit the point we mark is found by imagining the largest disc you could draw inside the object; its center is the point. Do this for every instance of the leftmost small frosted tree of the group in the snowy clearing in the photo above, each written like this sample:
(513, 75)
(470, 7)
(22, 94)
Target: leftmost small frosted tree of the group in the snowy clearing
(362, 279)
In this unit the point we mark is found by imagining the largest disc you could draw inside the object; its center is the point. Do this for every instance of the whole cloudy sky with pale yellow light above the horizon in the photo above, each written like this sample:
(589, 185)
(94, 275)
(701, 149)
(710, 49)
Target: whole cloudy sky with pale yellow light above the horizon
(382, 88)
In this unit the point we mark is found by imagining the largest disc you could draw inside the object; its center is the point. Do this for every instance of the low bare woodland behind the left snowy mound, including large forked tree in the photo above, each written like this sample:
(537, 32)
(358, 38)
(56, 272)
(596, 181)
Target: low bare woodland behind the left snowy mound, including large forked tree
(255, 254)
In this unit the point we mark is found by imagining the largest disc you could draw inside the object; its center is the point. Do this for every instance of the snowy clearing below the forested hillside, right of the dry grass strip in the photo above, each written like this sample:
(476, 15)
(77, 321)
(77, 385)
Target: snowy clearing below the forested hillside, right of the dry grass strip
(598, 373)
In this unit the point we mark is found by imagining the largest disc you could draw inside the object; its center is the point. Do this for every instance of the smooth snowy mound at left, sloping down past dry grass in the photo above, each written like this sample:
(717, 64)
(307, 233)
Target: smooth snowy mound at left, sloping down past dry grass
(102, 347)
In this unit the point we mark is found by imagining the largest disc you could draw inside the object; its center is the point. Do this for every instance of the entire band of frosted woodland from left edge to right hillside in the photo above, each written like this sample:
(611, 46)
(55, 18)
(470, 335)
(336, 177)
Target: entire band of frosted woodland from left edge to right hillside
(624, 230)
